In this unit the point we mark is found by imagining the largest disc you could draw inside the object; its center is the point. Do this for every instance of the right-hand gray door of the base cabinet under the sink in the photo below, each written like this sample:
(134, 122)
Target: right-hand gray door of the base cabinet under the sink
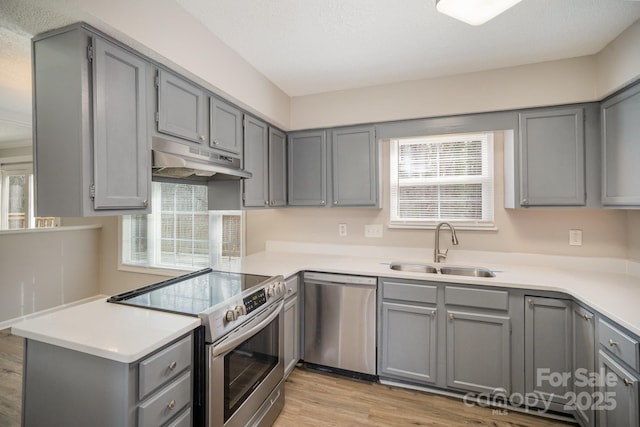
(478, 352)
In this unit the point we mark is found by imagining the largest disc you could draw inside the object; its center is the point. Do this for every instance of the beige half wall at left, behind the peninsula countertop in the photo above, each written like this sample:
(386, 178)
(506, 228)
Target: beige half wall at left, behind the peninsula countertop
(43, 269)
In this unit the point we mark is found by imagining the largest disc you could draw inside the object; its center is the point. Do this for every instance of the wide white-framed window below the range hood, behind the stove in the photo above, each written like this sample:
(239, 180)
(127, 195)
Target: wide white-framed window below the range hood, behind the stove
(181, 233)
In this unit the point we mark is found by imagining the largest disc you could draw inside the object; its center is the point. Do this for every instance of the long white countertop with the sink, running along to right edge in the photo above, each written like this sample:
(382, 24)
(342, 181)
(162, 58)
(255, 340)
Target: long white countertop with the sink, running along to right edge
(609, 286)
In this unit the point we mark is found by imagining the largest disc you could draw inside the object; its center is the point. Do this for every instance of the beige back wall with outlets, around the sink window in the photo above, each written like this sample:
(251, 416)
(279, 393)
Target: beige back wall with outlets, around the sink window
(543, 231)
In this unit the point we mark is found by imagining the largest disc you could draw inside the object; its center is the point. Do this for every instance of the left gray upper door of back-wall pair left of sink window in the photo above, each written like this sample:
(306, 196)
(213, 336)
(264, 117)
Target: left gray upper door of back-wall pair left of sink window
(307, 169)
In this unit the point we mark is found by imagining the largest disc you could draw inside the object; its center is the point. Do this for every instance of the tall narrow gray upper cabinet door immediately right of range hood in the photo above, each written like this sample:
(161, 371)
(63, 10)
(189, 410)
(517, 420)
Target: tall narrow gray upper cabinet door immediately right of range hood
(255, 161)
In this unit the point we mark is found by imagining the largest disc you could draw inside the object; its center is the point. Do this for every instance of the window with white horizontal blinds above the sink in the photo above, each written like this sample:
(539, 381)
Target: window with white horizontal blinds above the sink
(442, 178)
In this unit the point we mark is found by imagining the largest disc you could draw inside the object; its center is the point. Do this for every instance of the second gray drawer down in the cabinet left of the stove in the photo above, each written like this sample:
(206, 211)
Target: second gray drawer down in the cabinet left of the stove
(166, 404)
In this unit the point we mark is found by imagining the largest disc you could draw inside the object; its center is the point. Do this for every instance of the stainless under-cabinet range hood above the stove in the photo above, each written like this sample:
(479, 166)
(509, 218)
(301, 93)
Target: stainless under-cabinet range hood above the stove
(179, 161)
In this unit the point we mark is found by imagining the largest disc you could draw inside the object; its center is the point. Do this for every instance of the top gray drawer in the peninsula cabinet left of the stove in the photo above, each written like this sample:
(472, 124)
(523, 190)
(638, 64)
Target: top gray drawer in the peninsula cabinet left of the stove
(164, 365)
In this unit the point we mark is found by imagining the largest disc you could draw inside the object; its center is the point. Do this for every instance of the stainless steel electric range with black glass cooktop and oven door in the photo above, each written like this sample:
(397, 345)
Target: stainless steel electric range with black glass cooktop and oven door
(239, 356)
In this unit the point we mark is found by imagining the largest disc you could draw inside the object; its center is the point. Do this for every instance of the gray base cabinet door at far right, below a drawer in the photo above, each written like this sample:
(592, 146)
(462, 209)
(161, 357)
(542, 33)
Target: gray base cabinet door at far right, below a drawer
(622, 392)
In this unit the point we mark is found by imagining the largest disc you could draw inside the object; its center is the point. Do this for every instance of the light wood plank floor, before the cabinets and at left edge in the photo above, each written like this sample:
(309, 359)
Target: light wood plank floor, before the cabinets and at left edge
(313, 399)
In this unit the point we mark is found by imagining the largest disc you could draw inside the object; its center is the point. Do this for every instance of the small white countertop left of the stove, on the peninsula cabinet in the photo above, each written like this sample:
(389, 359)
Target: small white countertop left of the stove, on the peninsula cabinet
(112, 331)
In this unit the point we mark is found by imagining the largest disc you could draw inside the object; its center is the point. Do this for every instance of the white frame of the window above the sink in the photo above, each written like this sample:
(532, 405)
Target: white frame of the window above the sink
(488, 191)
